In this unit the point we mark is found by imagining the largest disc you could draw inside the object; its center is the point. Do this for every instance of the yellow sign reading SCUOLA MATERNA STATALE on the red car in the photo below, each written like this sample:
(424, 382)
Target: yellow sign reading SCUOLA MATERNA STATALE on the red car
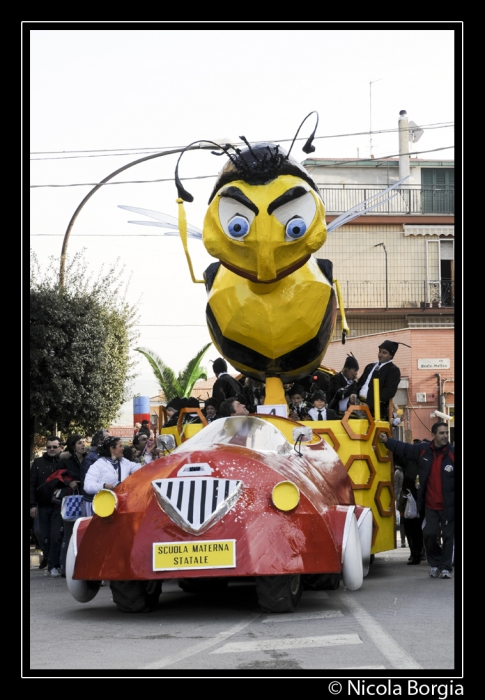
(206, 554)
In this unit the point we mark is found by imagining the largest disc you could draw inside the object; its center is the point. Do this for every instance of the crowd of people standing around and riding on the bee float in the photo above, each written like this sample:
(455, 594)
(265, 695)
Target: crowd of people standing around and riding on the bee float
(424, 469)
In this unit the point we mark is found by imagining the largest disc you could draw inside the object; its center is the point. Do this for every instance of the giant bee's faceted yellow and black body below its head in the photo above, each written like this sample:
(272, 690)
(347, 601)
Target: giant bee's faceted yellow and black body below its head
(278, 330)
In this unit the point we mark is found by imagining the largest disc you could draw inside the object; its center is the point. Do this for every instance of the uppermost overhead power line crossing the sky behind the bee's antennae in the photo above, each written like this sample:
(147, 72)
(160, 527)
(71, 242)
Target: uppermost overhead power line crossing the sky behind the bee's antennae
(110, 152)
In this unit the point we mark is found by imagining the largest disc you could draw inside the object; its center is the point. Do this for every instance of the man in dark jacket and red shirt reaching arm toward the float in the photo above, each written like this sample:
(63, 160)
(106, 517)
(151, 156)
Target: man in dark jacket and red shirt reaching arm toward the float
(435, 494)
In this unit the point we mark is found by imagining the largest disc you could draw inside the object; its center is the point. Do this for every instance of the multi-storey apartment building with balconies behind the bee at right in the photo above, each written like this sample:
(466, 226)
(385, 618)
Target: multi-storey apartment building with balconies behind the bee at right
(395, 263)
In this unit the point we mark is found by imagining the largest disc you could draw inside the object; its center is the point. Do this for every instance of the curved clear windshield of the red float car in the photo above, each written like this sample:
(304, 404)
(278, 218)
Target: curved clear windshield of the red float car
(246, 431)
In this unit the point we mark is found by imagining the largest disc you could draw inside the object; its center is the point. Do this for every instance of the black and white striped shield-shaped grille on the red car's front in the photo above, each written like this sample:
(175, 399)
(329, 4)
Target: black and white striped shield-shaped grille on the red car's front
(195, 504)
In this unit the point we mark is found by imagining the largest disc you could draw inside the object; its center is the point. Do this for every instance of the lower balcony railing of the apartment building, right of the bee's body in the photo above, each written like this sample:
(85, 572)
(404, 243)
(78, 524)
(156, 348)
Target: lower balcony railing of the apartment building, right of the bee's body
(362, 295)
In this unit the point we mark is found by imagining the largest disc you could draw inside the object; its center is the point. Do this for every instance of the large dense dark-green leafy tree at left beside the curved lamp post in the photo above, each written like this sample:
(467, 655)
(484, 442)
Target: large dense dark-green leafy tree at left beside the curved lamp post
(80, 339)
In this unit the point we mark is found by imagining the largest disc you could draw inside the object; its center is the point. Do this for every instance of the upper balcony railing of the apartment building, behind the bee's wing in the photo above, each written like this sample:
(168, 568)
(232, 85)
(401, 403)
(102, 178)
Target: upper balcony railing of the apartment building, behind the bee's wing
(409, 200)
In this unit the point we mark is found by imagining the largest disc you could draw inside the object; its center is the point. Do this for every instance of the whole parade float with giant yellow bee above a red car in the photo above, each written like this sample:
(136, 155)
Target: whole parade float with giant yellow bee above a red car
(285, 504)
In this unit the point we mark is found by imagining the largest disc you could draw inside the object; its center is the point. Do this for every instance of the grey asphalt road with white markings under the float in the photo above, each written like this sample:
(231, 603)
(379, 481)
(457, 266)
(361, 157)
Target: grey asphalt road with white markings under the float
(385, 626)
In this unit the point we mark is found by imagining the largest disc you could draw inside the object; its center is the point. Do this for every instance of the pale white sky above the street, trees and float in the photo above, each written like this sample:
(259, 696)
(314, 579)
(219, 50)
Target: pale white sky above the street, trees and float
(101, 98)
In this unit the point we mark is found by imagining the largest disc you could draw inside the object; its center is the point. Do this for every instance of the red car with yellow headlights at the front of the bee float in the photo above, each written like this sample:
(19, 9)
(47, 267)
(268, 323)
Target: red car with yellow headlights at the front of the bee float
(260, 497)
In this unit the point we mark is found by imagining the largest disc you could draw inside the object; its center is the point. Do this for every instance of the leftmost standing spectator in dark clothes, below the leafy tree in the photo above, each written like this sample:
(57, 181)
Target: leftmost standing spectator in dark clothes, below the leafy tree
(48, 513)
